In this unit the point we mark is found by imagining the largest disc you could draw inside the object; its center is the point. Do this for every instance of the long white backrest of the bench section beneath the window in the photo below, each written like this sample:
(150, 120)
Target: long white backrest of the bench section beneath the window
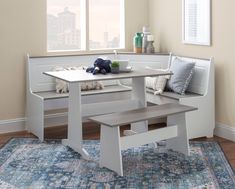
(38, 82)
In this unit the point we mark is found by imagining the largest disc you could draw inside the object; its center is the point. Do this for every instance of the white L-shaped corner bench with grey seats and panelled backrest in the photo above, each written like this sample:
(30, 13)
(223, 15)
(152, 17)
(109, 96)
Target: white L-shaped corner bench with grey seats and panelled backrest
(41, 94)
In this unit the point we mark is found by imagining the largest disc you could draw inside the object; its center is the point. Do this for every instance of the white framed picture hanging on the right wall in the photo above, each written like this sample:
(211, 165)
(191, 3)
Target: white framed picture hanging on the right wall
(196, 22)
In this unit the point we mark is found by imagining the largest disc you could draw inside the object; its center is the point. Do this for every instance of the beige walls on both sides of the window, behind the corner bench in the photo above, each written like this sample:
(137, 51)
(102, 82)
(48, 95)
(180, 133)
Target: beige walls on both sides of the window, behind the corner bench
(23, 29)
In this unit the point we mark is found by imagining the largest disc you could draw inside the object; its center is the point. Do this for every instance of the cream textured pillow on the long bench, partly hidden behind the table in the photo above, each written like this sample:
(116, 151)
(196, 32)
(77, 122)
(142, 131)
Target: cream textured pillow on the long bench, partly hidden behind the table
(62, 86)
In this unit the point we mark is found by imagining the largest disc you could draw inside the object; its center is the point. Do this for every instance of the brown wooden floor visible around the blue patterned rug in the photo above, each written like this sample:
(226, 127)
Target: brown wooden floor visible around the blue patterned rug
(91, 131)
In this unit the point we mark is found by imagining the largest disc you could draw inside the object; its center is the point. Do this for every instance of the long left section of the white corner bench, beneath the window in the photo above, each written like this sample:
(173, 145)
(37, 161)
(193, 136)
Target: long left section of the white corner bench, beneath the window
(41, 94)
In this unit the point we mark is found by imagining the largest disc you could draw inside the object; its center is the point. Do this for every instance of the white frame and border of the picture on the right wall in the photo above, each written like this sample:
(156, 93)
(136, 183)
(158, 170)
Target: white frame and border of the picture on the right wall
(206, 25)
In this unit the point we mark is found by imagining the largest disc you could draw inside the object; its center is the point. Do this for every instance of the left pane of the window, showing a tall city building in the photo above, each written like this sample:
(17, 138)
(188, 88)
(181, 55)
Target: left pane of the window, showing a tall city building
(63, 25)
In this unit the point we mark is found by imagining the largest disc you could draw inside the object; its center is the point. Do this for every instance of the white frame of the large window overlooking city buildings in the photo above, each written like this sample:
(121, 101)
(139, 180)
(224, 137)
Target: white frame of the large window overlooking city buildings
(85, 30)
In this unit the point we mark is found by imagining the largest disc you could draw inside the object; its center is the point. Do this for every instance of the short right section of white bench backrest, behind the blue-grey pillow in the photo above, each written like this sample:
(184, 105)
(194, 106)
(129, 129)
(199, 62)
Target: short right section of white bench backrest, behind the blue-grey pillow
(202, 76)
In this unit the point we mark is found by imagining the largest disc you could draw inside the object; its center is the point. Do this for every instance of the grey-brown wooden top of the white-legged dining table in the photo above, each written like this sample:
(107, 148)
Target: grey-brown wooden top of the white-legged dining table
(72, 76)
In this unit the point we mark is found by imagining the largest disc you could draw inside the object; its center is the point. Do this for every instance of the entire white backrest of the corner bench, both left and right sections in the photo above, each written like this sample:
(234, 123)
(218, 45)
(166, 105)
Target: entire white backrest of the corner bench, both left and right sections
(37, 81)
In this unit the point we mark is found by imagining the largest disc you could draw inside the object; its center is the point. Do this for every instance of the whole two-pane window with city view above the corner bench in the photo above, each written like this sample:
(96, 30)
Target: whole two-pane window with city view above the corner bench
(74, 25)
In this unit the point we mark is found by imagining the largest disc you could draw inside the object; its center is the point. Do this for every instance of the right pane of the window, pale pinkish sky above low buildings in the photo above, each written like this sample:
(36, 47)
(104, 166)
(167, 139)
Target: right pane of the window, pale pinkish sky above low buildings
(104, 24)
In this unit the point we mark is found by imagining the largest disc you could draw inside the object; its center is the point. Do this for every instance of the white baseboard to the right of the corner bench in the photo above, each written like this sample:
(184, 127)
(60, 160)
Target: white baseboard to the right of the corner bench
(224, 131)
